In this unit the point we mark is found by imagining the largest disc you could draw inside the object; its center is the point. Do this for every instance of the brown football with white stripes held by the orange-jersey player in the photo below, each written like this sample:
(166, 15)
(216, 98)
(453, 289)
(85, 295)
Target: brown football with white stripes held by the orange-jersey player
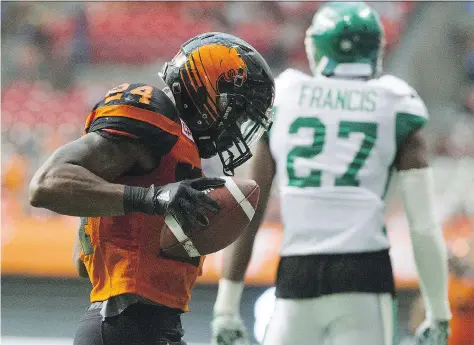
(237, 199)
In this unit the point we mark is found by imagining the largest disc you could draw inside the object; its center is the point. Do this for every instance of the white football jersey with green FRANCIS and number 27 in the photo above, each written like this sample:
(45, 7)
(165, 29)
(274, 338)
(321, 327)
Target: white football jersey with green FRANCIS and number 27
(334, 142)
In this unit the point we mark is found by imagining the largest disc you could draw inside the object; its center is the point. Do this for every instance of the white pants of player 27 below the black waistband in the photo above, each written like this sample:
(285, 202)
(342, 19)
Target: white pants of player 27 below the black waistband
(339, 319)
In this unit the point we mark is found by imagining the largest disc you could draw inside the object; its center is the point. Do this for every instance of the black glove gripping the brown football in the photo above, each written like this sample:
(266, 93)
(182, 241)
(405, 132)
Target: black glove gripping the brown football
(185, 200)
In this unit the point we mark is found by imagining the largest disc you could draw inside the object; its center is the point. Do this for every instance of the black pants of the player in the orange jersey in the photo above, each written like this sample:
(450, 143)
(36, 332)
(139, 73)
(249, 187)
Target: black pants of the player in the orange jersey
(139, 324)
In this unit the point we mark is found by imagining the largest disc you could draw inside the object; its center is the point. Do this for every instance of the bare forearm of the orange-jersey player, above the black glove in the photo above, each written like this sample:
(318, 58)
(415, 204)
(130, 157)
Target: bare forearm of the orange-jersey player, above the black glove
(75, 191)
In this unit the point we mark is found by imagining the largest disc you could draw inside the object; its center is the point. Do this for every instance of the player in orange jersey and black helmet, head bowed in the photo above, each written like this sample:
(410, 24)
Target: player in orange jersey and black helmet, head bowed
(139, 158)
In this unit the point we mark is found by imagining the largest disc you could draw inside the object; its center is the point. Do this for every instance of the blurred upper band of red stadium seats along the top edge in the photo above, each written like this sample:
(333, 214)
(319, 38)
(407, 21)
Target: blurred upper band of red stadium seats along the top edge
(142, 34)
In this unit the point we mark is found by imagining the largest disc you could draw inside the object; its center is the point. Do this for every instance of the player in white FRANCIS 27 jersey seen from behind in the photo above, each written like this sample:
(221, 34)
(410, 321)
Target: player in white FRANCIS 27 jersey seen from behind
(336, 138)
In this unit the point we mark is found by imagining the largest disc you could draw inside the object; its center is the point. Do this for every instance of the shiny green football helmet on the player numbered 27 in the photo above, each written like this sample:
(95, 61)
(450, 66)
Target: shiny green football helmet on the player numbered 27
(345, 39)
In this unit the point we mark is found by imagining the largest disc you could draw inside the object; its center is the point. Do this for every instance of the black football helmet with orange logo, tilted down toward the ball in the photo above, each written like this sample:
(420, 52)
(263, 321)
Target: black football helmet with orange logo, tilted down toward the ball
(224, 90)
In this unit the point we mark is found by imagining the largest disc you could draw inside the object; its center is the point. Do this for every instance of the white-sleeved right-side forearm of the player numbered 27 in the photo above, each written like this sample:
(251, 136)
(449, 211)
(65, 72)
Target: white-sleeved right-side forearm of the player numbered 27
(429, 247)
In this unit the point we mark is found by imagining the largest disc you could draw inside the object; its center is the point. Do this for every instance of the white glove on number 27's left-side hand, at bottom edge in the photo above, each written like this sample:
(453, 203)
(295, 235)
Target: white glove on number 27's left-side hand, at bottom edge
(228, 329)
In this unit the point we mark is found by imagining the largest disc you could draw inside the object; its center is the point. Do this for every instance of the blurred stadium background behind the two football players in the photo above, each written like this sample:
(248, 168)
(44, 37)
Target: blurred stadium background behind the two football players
(59, 58)
